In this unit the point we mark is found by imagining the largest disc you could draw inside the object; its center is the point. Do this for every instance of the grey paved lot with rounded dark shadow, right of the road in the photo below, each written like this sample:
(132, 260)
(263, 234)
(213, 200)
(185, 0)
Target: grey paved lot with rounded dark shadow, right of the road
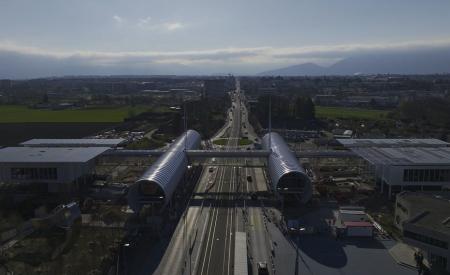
(321, 253)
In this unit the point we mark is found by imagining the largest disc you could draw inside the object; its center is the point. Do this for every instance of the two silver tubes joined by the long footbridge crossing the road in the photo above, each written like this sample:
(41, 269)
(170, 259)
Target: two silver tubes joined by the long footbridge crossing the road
(160, 181)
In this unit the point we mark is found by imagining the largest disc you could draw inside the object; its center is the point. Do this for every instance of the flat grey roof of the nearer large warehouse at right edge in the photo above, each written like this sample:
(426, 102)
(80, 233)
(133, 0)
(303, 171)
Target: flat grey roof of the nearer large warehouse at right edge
(405, 156)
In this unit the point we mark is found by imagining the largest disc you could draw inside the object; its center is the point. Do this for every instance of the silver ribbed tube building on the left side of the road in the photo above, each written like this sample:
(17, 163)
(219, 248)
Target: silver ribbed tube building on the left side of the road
(159, 182)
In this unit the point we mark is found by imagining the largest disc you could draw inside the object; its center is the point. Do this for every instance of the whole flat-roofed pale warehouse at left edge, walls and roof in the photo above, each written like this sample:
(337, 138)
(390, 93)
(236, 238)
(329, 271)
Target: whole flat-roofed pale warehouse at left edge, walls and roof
(62, 169)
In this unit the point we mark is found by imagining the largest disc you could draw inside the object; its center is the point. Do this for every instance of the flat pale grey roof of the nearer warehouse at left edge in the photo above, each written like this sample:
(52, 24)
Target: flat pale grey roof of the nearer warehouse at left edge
(49, 154)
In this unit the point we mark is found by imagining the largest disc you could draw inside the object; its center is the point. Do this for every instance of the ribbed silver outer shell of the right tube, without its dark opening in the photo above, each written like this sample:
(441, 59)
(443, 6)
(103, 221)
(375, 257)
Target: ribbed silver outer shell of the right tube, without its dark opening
(282, 161)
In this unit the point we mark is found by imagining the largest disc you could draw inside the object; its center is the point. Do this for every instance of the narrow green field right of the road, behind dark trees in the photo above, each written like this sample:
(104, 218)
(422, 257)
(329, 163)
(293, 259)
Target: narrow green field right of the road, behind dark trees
(350, 113)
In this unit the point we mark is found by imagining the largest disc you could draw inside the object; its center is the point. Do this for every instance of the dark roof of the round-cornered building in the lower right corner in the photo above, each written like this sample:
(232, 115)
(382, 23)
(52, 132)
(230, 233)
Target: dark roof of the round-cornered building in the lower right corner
(432, 211)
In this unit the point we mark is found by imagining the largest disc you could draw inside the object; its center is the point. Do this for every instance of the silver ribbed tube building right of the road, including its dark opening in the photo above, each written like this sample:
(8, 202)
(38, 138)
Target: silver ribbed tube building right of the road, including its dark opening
(286, 173)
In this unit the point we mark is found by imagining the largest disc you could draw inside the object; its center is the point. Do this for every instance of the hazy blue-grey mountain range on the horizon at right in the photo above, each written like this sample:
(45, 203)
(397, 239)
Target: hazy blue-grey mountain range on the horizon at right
(417, 62)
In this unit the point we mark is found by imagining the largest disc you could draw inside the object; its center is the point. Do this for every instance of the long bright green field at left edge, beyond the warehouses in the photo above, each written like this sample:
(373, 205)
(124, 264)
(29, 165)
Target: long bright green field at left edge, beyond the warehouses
(18, 114)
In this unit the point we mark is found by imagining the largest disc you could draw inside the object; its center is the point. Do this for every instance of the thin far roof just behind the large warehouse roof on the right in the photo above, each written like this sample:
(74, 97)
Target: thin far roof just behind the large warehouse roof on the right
(393, 142)
